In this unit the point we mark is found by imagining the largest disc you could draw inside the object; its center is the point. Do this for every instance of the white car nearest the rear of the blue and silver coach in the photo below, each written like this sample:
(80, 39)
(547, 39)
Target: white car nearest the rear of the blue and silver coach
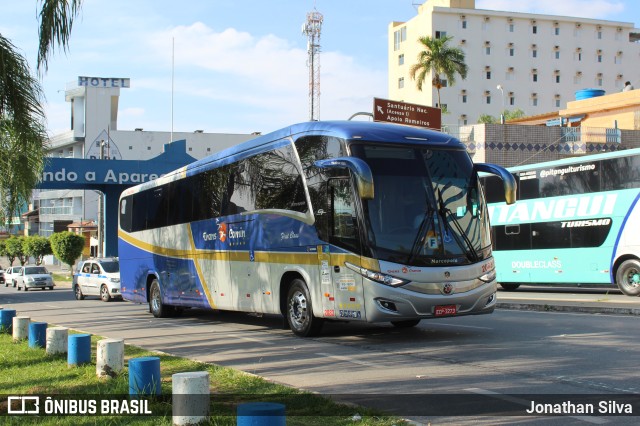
(97, 277)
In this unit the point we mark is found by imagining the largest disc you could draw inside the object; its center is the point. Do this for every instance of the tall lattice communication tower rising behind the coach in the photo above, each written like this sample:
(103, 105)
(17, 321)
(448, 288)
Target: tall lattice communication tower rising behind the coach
(312, 28)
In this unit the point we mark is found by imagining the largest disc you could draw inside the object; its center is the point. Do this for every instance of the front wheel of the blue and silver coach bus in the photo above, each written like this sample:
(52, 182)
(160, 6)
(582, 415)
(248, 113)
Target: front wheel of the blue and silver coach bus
(300, 311)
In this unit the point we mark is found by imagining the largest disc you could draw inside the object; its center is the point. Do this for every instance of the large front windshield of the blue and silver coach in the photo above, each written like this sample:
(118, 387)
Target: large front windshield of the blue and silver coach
(428, 207)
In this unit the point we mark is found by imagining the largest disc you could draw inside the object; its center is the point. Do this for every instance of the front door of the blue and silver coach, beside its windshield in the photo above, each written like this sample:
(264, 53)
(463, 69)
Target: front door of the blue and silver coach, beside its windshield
(342, 293)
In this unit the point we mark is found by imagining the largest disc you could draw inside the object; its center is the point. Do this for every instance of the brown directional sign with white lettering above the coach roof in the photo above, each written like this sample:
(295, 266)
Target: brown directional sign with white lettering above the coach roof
(404, 113)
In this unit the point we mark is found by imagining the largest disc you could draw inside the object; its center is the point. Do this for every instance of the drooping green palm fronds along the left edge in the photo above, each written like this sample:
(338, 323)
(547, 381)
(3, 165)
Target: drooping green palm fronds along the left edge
(22, 119)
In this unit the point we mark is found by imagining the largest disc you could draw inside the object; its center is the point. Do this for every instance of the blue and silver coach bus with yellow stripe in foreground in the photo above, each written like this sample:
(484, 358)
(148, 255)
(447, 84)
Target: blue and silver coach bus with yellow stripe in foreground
(319, 221)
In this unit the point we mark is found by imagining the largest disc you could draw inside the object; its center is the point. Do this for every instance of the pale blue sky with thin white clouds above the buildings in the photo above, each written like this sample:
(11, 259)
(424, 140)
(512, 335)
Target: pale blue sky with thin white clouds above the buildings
(238, 66)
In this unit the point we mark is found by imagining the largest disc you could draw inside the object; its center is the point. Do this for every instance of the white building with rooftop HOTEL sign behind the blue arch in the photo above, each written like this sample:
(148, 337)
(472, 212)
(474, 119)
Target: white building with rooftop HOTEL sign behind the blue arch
(94, 134)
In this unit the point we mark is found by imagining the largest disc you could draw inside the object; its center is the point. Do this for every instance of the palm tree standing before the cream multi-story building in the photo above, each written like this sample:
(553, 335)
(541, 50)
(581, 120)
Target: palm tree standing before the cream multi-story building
(438, 59)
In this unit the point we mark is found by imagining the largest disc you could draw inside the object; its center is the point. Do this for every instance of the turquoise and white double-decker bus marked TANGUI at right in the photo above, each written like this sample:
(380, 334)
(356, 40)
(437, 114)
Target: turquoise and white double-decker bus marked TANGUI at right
(577, 221)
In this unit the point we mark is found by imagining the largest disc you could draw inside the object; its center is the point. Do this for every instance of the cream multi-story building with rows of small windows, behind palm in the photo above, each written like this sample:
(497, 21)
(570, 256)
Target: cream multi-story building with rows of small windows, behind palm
(524, 61)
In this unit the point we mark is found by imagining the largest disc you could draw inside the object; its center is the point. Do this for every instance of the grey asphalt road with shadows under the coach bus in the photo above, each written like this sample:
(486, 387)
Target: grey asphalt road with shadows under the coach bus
(518, 350)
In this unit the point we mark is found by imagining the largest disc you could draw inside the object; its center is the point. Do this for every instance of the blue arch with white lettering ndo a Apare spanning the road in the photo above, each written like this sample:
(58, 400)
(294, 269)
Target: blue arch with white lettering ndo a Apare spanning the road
(111, 177)
